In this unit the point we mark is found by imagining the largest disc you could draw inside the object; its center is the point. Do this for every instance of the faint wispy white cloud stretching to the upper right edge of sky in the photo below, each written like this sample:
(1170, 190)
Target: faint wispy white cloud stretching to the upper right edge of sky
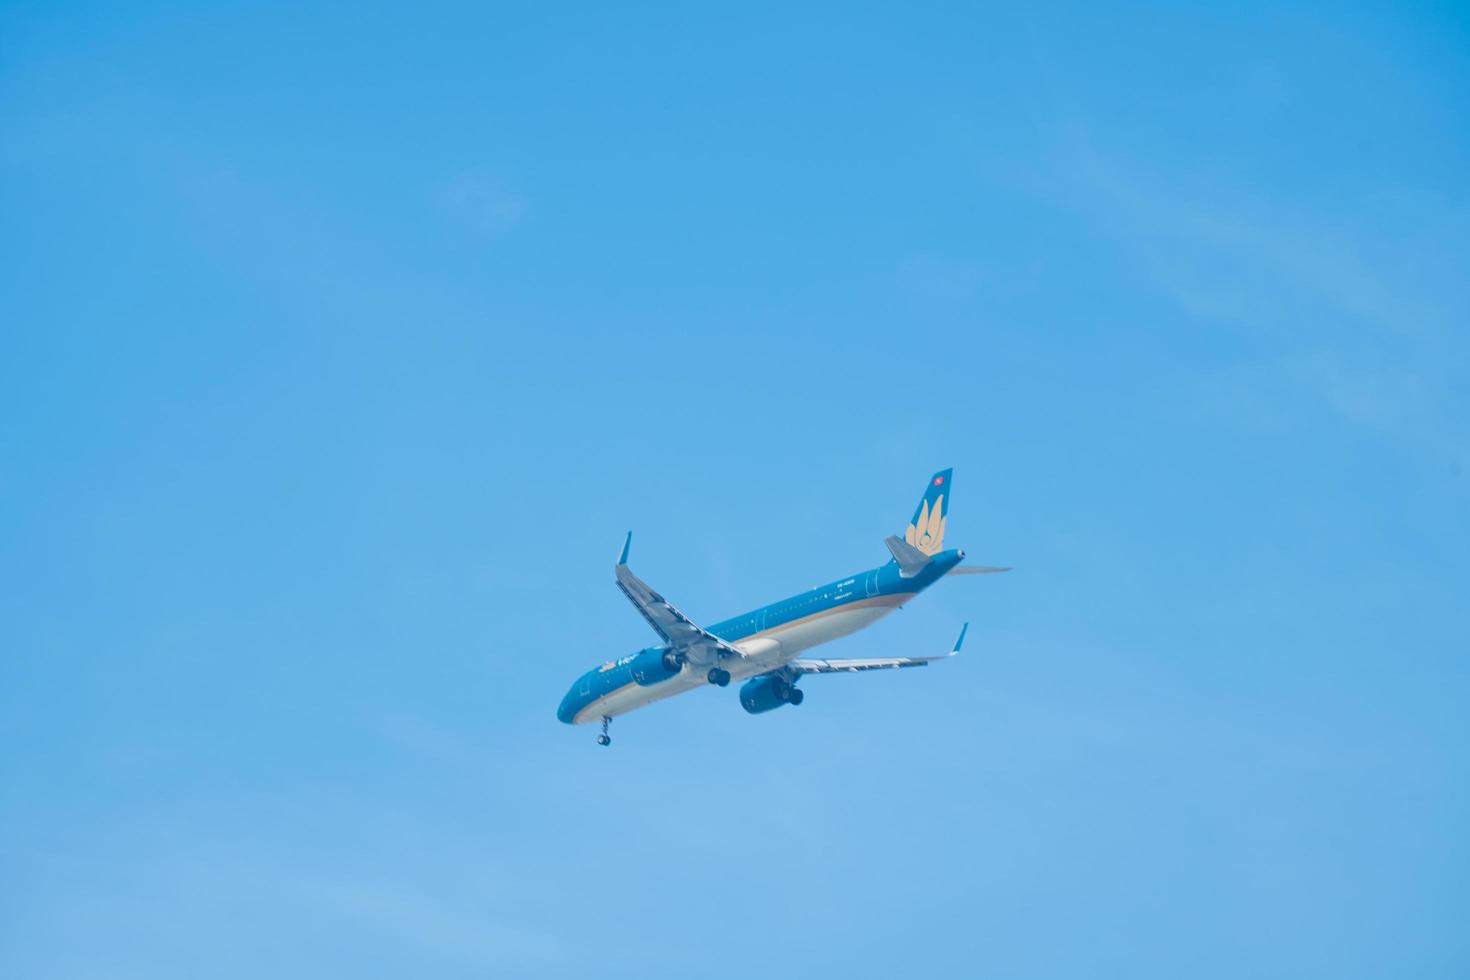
(1363, 321)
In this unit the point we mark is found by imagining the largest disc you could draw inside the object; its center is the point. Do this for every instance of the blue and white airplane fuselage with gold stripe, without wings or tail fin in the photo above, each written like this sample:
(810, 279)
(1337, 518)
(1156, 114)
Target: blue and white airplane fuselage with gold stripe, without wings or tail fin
(767, 638)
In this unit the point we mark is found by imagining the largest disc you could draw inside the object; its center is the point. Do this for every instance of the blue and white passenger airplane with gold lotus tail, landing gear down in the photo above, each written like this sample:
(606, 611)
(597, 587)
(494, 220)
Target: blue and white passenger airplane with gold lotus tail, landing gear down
(765, 644)
